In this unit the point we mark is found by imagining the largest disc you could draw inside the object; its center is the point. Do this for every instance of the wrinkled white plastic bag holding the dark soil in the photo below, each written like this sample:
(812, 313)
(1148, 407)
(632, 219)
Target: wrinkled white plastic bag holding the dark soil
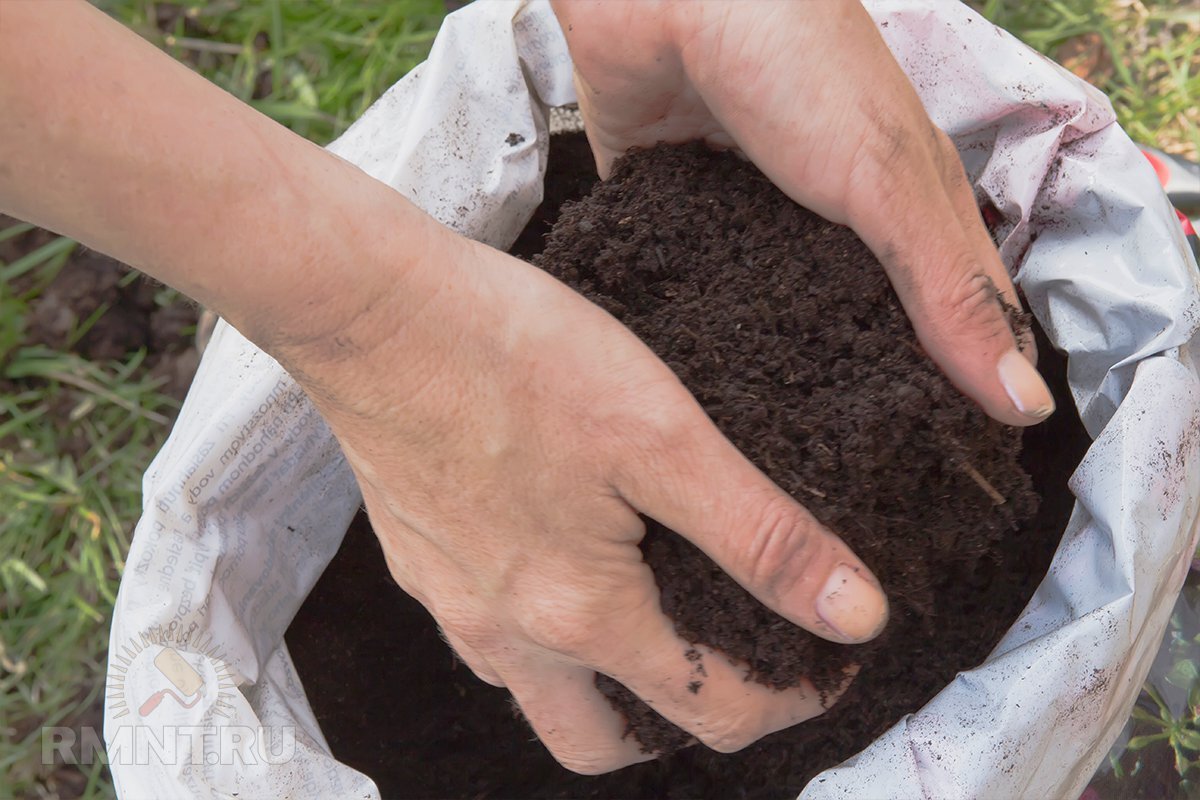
(249, 500)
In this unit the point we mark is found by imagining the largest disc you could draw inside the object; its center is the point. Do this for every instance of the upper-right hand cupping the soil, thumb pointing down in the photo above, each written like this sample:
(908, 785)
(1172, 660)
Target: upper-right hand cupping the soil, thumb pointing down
(812, 95)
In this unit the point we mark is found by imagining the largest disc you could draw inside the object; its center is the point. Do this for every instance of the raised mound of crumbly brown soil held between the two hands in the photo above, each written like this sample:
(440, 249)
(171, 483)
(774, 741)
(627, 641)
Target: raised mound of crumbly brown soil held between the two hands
(787, 330)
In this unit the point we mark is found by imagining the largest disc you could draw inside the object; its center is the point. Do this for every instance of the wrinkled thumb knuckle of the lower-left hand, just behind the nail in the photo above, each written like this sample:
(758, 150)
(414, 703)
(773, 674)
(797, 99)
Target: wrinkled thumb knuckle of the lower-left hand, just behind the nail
(779, 549)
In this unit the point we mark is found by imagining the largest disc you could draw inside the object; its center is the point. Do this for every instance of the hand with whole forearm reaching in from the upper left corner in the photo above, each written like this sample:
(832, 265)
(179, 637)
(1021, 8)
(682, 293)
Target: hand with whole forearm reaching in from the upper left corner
(505, 431)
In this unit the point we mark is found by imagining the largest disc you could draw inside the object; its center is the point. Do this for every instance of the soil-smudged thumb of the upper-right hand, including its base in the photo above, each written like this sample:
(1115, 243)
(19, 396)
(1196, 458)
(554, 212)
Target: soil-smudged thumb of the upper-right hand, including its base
(937, 252)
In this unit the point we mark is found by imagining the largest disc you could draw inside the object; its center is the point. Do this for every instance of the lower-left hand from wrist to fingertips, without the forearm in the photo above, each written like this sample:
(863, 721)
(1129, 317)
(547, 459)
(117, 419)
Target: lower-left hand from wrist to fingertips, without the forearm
(507, 434)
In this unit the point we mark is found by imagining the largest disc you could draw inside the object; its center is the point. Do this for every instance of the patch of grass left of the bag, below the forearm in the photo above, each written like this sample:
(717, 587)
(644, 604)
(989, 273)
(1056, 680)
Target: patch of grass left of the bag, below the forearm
(75, 438)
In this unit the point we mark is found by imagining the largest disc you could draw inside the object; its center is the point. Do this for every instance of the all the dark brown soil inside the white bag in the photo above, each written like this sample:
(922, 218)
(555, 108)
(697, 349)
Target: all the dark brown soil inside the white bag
(785, 329)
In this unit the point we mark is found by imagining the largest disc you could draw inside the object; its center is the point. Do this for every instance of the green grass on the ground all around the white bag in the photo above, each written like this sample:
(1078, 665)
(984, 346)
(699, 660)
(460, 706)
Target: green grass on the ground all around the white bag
(76, 437)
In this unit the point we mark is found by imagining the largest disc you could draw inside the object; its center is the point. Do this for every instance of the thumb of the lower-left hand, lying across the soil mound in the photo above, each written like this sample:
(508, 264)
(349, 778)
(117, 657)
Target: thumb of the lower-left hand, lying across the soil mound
(695, 482)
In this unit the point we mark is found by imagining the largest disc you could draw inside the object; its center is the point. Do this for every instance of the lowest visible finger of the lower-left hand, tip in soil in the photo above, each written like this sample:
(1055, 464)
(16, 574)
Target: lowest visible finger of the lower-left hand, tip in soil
(572, 718)
